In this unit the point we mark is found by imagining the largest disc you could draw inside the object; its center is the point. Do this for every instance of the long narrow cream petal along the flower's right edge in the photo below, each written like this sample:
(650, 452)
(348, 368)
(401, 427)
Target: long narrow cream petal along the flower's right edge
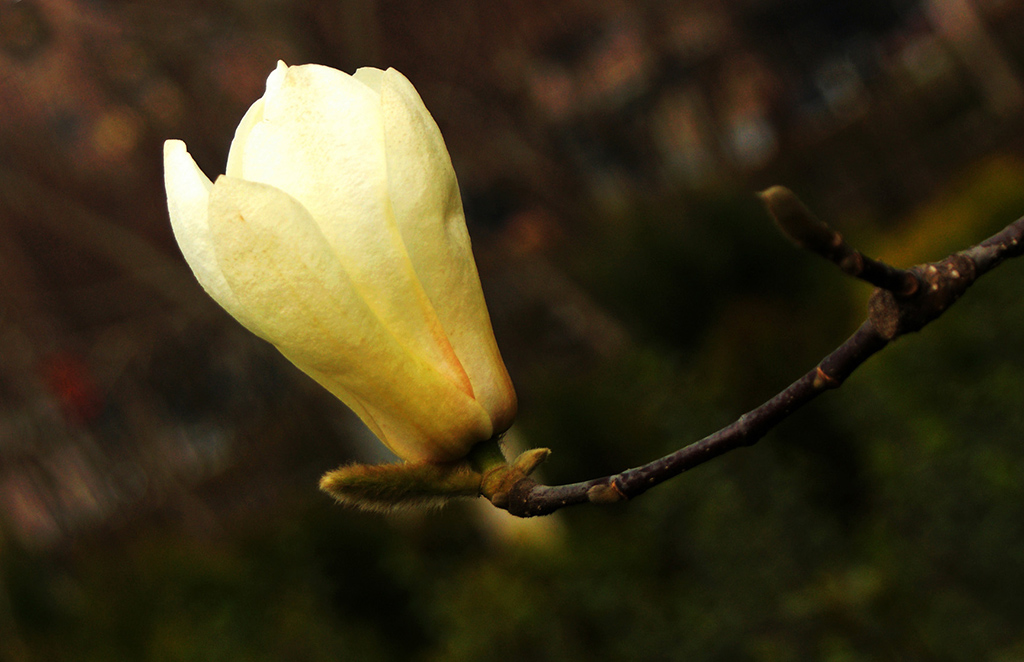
(429, 210)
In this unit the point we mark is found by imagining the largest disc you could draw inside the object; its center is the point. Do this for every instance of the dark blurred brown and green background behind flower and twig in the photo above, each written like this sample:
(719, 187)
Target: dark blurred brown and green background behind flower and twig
(159, 466)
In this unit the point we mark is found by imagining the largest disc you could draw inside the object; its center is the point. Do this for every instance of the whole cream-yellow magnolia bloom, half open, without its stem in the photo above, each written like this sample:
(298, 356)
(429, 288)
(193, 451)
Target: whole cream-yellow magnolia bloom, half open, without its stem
(337, 234)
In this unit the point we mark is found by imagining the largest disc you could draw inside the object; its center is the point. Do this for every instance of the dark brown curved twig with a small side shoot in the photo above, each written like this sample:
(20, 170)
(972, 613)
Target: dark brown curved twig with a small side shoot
(895, 309)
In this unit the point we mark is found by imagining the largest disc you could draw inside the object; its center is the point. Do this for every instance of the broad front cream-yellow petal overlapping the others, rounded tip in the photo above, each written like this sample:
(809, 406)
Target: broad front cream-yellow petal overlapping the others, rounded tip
(275, 257)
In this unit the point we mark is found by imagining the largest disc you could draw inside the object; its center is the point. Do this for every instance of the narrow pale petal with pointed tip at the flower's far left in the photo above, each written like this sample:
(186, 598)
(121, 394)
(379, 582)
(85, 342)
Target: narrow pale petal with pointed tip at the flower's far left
(188, 204)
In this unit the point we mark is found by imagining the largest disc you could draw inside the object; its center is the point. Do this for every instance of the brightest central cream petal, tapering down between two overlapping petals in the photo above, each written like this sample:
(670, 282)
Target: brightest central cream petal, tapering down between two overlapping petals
(322, 142)
